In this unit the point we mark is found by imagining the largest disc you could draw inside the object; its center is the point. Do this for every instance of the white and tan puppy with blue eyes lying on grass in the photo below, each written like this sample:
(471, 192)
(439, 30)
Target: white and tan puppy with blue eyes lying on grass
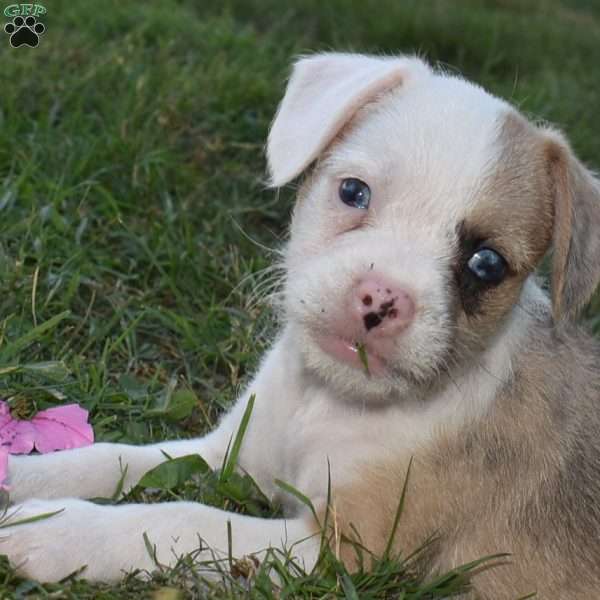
(413, 330)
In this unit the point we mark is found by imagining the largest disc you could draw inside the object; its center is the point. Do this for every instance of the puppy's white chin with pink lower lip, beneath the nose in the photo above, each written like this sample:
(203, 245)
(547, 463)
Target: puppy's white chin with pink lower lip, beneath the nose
(340, 367)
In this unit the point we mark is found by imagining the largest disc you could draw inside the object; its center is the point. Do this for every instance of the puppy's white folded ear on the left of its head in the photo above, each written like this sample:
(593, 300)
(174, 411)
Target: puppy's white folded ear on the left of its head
(323, 94)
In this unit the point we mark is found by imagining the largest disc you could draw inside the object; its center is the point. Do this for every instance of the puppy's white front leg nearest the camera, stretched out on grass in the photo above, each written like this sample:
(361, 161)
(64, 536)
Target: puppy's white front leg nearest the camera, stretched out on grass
(110, 539)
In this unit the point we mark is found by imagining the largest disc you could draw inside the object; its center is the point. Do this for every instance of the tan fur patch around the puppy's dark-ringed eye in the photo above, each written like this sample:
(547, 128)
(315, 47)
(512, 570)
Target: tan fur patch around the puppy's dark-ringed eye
(514, 215)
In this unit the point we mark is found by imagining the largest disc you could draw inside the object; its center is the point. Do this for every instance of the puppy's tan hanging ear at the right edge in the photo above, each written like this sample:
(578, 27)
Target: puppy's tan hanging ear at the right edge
(576, 257)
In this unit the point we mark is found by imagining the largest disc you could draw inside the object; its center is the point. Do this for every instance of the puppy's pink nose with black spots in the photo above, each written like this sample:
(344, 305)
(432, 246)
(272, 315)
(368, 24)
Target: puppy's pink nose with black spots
(383, 307)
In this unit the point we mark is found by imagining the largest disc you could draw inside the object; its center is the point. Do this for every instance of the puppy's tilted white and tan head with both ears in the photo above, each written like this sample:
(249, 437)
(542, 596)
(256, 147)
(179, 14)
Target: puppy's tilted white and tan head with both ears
(429, 204)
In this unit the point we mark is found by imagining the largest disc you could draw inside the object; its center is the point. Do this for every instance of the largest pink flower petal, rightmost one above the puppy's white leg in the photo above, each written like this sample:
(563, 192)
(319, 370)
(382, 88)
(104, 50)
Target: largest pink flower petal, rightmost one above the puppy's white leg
(62, 427)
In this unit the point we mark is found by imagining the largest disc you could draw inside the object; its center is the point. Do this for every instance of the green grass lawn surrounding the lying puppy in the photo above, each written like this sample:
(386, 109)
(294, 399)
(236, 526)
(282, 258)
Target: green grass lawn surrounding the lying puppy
(133, 212)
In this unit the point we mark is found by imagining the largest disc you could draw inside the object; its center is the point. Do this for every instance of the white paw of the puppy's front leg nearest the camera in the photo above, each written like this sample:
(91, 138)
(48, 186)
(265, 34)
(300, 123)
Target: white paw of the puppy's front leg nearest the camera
(69, 535)
